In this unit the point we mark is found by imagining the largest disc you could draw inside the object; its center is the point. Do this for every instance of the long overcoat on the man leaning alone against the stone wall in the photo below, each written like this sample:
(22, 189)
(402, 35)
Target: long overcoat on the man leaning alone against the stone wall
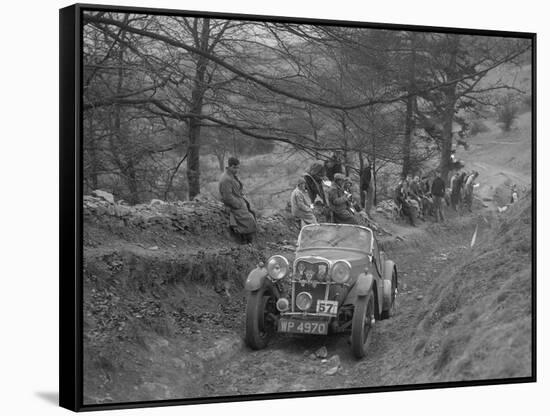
(241, 216)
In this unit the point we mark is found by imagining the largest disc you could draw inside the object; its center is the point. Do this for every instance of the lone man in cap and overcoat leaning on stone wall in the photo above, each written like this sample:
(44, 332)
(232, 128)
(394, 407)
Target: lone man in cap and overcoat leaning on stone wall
(242, 219)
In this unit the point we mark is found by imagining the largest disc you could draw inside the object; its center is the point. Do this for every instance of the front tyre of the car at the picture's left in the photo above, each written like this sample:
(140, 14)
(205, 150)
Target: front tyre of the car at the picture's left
(258, 326)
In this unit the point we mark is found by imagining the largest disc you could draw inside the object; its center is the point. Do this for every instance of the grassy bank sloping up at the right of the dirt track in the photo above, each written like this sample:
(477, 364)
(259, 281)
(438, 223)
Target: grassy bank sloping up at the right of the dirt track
(481, 313)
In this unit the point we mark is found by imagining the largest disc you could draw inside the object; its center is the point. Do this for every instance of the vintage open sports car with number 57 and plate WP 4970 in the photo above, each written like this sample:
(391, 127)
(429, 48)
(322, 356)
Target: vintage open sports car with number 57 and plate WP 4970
(339, 282)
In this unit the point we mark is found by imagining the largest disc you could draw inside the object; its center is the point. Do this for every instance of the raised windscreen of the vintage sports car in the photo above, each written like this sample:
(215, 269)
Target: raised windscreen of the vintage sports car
(340, 236)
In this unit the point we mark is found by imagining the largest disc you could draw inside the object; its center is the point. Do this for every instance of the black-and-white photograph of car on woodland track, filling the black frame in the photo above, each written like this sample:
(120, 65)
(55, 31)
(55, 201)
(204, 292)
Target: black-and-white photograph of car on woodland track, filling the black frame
(283, 207)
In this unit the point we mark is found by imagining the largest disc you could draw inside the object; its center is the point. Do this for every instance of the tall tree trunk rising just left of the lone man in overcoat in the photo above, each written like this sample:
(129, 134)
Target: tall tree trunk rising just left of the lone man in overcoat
(197, 96)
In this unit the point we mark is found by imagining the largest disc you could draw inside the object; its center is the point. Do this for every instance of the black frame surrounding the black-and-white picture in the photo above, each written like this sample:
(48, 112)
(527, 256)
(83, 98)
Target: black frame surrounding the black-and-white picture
(71, 216)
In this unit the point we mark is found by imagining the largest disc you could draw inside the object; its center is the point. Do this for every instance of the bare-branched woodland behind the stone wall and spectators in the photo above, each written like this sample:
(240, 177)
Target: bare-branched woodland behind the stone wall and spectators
(167, 99)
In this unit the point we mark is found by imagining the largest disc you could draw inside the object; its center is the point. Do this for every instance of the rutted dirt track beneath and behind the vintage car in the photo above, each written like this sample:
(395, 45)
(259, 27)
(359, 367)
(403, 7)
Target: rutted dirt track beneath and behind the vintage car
(289, 362)
